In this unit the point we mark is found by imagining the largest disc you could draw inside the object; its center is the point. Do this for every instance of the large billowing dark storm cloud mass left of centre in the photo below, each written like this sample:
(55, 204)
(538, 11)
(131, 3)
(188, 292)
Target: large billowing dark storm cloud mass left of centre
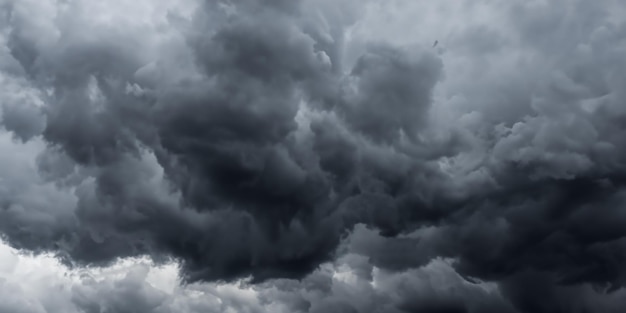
(253, 192)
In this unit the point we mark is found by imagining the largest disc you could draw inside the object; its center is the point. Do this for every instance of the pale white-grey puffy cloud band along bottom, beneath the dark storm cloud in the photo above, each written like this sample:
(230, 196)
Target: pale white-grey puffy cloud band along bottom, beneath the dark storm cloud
(41, 285)
